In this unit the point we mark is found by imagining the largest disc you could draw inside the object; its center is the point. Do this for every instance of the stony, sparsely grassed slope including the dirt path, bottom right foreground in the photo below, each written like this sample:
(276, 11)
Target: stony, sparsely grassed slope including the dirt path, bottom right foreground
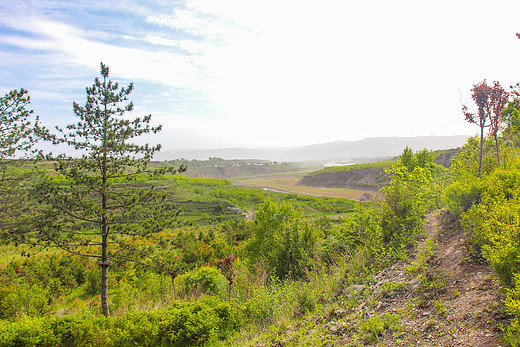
(438, 296)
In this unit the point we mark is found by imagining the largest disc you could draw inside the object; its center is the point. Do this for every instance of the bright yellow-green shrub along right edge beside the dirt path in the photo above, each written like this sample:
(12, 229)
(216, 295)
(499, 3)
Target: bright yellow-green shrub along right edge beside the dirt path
(492, 229)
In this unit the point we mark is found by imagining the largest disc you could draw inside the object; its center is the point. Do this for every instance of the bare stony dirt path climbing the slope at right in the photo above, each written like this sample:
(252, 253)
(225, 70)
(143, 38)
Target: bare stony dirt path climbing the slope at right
(452, 300)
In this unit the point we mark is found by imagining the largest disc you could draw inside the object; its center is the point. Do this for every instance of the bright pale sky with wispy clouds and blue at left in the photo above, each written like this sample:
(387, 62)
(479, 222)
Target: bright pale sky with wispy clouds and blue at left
(264, 73)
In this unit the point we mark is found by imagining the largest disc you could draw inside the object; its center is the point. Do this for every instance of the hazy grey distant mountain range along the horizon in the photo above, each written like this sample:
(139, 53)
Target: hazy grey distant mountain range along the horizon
(369, 148)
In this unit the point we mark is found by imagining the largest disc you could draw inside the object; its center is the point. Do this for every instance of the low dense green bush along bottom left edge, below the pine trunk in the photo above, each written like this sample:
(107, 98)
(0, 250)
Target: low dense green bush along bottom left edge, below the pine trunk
(183, 324)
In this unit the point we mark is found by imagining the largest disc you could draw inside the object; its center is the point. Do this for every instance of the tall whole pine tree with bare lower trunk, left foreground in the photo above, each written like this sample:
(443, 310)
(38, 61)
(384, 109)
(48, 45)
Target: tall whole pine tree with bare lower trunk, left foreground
(95, 207)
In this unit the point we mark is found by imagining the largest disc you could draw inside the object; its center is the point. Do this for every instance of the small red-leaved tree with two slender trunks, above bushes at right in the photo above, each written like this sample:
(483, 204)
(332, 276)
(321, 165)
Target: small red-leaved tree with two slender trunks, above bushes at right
(490, 101)
